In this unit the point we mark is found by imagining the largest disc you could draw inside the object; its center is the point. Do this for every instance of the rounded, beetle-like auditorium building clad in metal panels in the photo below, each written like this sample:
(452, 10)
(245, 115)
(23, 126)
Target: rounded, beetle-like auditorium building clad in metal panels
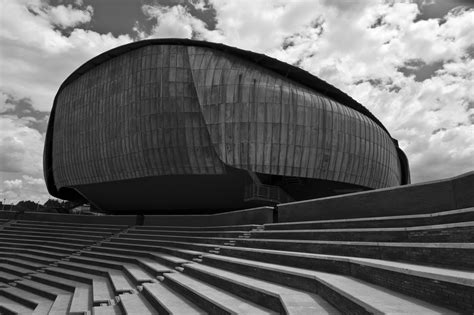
(185, 126)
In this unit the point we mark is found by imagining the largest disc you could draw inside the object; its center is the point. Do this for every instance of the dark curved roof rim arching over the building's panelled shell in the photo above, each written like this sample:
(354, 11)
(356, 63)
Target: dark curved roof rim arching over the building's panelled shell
(294, 73)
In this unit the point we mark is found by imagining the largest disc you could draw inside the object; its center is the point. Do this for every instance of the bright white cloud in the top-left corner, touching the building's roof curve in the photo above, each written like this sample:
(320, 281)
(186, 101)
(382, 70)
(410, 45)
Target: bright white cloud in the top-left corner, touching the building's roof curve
(36, 56)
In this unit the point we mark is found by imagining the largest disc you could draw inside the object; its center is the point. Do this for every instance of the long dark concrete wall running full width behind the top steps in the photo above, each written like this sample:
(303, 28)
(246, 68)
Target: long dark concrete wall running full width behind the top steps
(431, 197)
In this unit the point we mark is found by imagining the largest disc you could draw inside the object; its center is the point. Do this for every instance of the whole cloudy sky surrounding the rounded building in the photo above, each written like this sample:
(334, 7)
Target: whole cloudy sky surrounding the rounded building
(409, 62)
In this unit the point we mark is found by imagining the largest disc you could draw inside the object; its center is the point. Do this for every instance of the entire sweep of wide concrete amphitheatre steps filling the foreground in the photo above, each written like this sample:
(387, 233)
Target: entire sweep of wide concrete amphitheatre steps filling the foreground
(412, 264)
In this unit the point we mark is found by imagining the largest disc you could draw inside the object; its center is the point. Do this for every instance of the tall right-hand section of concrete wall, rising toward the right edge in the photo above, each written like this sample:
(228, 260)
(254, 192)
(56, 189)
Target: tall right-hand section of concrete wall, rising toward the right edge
(436, 196)
